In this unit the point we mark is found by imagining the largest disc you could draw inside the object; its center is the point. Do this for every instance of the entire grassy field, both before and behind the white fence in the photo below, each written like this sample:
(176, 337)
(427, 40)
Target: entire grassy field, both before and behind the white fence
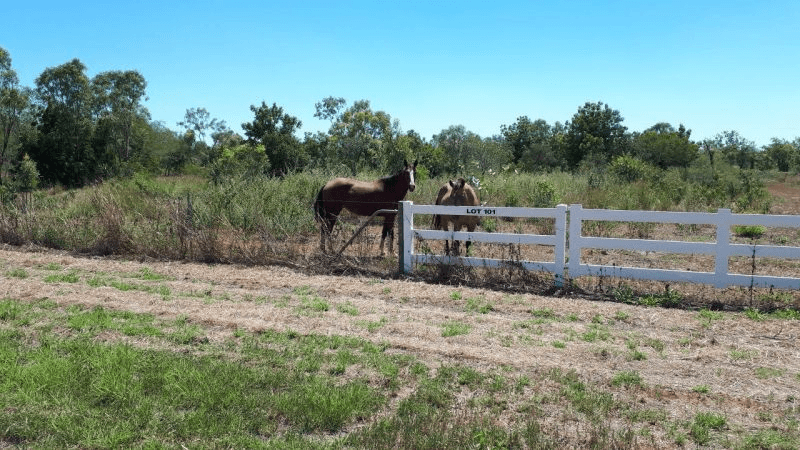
(84, 366)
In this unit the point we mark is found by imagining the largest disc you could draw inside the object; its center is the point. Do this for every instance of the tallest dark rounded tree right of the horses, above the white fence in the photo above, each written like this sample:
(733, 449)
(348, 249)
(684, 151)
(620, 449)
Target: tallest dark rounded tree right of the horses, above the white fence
(595, 129)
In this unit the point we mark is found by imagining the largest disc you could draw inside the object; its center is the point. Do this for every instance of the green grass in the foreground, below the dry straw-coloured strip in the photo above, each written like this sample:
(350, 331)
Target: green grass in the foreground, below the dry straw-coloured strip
(78, 377)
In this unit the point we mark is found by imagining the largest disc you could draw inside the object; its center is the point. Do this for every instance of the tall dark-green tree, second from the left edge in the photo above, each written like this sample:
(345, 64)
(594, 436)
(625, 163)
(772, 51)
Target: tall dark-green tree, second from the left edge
(63, 152)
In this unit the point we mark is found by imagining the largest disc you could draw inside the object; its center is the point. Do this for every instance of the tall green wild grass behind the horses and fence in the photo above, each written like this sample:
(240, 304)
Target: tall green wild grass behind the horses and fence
(255, 219)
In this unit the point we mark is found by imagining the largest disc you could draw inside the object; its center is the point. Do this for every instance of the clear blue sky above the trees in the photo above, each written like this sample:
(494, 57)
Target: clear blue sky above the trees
(711, 65)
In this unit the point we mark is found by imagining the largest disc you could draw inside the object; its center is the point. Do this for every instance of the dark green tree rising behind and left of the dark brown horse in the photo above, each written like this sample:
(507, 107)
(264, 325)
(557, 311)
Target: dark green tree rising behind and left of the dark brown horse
(275, 131)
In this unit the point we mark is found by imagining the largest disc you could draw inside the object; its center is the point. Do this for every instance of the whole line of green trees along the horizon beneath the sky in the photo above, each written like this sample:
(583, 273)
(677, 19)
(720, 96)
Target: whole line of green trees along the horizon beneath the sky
(72, 130)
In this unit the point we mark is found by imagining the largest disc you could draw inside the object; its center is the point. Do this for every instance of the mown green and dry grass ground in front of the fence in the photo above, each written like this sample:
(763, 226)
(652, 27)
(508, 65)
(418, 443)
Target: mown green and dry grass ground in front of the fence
(83, 366)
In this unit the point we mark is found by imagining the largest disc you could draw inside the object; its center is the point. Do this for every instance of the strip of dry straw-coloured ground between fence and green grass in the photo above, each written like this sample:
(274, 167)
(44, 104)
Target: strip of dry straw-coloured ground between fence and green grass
(751, 368)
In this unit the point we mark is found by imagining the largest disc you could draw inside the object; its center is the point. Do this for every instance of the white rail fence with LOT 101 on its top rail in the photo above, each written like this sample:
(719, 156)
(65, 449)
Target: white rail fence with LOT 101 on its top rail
(573, 242)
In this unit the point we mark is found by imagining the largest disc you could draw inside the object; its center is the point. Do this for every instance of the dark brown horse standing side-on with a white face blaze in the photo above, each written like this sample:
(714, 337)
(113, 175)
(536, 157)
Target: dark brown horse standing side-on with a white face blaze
(363, 198)
